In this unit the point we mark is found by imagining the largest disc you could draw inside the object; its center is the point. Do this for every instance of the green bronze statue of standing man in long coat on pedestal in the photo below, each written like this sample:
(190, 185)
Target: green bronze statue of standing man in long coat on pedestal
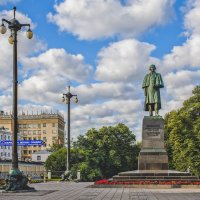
(151, 85)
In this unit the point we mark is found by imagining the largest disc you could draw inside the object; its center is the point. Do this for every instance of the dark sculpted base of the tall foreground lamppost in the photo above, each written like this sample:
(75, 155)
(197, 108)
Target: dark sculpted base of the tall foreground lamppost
(16, 180)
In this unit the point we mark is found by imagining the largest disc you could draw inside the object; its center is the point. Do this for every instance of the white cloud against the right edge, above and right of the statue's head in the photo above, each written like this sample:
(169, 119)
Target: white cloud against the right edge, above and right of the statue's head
(187, 55)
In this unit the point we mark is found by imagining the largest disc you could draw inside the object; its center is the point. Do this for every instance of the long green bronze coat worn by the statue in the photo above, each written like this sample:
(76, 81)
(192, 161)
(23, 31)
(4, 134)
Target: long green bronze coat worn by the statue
(151, 84)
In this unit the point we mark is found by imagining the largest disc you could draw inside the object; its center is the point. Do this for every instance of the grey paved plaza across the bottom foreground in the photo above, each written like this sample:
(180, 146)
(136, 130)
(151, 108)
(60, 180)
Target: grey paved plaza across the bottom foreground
(80, 191)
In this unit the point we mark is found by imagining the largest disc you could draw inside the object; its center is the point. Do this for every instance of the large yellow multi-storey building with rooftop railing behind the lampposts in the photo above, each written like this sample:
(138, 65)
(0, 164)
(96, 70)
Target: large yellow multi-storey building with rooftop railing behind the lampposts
(48, 127)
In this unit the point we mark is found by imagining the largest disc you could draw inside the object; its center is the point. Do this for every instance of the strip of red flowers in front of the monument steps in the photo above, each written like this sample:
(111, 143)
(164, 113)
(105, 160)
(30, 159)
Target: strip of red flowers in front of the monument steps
(147, 182)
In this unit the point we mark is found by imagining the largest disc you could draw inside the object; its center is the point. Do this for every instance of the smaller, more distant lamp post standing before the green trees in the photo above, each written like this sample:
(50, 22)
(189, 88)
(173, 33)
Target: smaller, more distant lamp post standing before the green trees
(67, 98)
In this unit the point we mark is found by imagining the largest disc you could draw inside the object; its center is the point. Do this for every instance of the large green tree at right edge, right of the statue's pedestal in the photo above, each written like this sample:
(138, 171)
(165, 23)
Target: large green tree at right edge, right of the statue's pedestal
(182, 131)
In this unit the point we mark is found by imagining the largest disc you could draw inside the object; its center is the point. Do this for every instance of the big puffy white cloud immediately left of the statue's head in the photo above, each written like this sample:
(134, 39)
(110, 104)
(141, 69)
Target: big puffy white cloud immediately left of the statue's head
(126, 60)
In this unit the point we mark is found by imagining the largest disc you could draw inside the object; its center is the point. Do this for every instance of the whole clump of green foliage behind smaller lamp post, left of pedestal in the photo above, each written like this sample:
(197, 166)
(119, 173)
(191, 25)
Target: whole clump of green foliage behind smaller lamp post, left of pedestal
(100, 153)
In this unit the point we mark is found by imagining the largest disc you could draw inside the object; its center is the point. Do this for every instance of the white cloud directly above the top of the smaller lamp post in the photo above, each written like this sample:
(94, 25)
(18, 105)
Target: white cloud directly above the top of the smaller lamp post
(60, 62)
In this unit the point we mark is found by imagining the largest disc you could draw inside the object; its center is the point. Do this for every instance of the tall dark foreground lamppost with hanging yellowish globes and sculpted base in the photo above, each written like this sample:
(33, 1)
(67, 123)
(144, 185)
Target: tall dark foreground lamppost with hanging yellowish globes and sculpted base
(17, 180)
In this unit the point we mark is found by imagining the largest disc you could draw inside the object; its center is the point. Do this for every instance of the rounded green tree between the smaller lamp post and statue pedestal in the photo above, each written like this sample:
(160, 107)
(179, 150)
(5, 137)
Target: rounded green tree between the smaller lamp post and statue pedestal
(108, 151)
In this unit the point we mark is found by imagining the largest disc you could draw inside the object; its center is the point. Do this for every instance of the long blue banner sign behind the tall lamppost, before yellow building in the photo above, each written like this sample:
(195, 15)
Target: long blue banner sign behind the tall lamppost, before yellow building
(22, 143)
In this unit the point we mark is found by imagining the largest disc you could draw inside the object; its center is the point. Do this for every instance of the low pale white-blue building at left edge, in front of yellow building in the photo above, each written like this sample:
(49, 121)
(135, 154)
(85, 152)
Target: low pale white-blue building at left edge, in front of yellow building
(6, 151)
